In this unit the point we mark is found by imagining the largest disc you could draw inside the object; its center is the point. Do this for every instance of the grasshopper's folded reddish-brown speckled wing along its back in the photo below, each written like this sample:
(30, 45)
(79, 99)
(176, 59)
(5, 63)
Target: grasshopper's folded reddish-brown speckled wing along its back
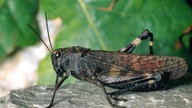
(137, 64)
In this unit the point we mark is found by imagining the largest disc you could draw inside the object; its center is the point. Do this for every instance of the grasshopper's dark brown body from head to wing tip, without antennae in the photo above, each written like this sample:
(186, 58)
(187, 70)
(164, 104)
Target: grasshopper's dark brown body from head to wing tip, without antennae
(117, 69)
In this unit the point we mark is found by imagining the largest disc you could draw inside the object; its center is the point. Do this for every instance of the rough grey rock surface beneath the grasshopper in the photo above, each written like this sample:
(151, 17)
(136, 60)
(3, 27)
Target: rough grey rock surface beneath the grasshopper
(86, 95)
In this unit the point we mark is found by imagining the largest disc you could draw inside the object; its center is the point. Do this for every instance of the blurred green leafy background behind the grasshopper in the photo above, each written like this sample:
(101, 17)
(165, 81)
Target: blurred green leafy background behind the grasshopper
(85, 25)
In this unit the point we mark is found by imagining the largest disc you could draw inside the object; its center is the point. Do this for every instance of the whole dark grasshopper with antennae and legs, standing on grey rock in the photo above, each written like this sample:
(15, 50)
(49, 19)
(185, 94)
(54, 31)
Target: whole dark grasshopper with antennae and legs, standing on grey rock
(116, 69)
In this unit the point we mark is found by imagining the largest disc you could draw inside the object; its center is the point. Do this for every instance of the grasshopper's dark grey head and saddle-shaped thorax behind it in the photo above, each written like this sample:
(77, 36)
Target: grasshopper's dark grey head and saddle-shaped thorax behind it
(66, 59)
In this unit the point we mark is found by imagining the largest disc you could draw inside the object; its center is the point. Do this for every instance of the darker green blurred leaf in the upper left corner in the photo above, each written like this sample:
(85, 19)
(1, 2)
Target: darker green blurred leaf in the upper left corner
(14, 17)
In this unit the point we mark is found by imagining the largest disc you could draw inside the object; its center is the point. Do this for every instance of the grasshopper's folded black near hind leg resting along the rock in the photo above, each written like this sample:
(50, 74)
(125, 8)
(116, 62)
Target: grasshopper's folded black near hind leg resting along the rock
(156, 81)
